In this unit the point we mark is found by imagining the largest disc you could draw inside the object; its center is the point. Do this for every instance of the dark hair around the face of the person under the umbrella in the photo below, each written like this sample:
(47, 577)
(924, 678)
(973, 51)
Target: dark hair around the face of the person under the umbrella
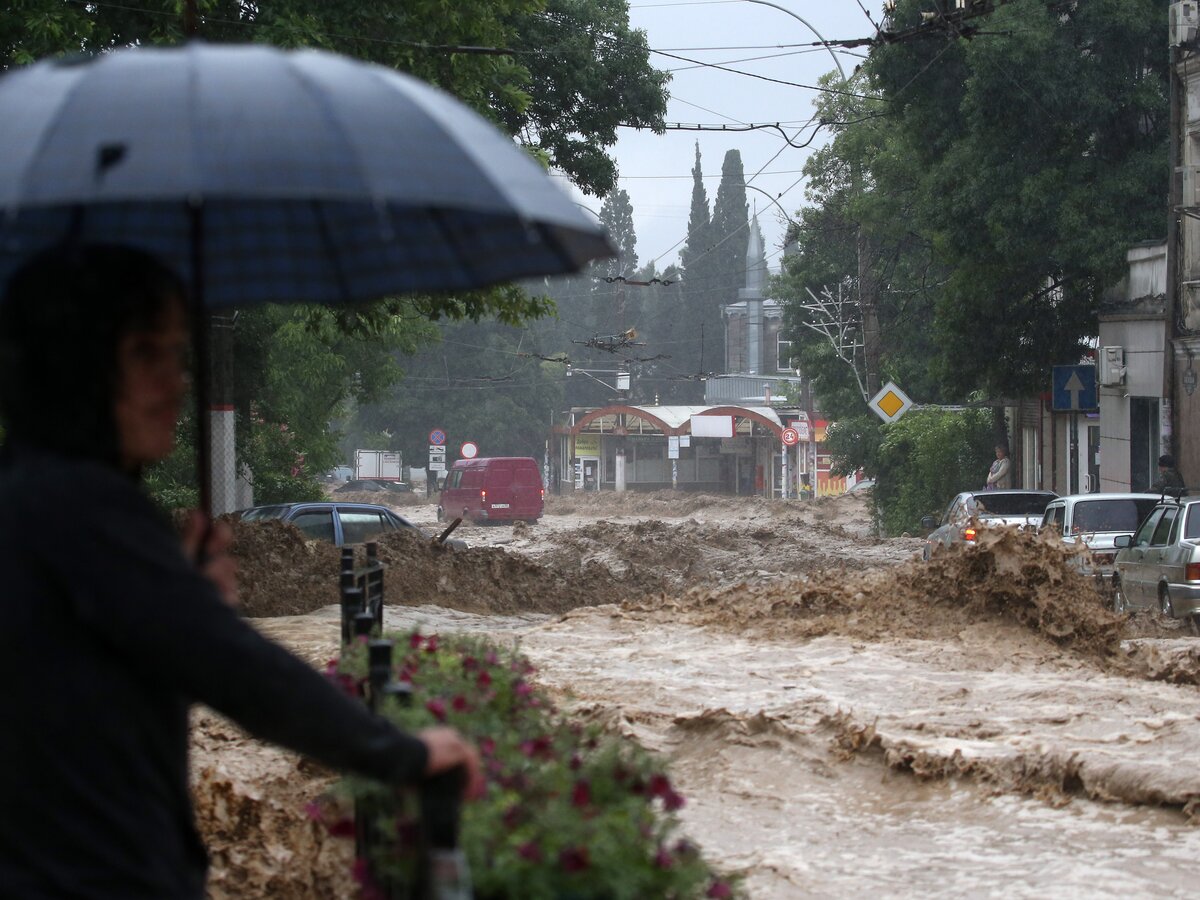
(62, 320)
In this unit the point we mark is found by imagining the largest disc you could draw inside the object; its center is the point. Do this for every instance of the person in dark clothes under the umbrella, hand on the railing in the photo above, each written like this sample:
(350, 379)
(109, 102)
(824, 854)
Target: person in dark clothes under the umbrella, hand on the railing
(112, 629)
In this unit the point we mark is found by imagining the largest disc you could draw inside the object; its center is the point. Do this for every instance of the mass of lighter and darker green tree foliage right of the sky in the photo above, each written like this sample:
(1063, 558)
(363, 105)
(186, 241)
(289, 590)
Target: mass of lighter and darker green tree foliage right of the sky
(995, 185)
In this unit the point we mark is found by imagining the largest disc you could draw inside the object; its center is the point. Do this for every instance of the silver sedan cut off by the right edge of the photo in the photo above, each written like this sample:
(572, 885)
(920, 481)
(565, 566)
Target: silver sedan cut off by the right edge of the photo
(1160, 566)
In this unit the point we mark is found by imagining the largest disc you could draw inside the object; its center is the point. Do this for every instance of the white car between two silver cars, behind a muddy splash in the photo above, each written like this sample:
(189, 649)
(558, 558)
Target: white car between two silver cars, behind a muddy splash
(1097, 520)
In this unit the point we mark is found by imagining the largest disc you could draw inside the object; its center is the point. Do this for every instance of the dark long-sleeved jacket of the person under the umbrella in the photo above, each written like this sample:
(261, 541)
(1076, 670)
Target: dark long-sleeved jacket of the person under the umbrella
(107, 637)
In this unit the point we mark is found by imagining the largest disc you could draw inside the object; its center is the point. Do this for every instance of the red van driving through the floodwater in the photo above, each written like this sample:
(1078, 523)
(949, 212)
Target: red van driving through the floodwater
(495, 489)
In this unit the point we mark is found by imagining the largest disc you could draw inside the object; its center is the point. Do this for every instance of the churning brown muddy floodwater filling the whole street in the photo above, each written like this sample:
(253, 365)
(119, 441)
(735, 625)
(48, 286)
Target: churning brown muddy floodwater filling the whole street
(842, 718)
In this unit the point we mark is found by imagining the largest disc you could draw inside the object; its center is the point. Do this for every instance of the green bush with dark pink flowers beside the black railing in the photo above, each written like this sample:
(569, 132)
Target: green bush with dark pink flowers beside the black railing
(571, 812)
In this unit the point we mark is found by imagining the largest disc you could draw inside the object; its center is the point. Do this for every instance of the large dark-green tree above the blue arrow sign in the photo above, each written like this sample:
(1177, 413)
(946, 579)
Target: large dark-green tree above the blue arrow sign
(1041, 157)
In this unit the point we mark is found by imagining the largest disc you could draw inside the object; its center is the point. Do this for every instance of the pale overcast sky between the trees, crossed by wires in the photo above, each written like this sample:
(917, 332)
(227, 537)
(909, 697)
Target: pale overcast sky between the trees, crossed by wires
(657, 170)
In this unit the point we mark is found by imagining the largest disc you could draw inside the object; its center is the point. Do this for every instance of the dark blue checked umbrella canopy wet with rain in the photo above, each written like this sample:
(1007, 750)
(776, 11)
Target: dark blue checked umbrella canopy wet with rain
(296, 177)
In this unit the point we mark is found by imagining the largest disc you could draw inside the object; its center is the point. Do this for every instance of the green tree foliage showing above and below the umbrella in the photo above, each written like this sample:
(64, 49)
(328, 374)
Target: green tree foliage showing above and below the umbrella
(559, 75)
